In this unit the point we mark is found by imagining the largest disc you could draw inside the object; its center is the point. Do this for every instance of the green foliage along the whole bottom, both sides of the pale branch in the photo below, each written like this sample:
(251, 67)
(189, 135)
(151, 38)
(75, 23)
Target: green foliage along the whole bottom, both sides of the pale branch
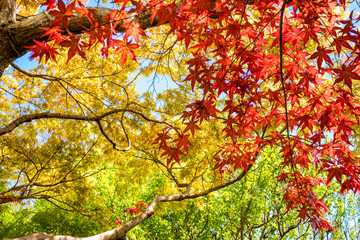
(250, 209)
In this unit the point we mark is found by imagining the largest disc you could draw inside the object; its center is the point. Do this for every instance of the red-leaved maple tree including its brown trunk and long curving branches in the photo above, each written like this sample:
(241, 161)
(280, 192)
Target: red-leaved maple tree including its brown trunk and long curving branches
(265, 73)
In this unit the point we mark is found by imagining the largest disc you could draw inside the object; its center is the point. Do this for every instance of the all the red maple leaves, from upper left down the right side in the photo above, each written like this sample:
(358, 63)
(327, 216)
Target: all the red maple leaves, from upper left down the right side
(308, 112)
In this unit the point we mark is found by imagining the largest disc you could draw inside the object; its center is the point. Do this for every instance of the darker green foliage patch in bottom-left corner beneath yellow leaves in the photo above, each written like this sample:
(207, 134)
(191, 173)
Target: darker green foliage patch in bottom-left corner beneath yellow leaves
(44, 217)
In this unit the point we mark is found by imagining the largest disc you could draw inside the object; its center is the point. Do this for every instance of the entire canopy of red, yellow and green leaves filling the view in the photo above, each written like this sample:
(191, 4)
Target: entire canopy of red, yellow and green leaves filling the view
(251, 79)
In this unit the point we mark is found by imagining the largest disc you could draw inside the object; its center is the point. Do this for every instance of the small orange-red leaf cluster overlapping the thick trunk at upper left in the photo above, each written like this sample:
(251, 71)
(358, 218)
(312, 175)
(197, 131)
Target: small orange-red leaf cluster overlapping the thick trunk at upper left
(103, 33)
